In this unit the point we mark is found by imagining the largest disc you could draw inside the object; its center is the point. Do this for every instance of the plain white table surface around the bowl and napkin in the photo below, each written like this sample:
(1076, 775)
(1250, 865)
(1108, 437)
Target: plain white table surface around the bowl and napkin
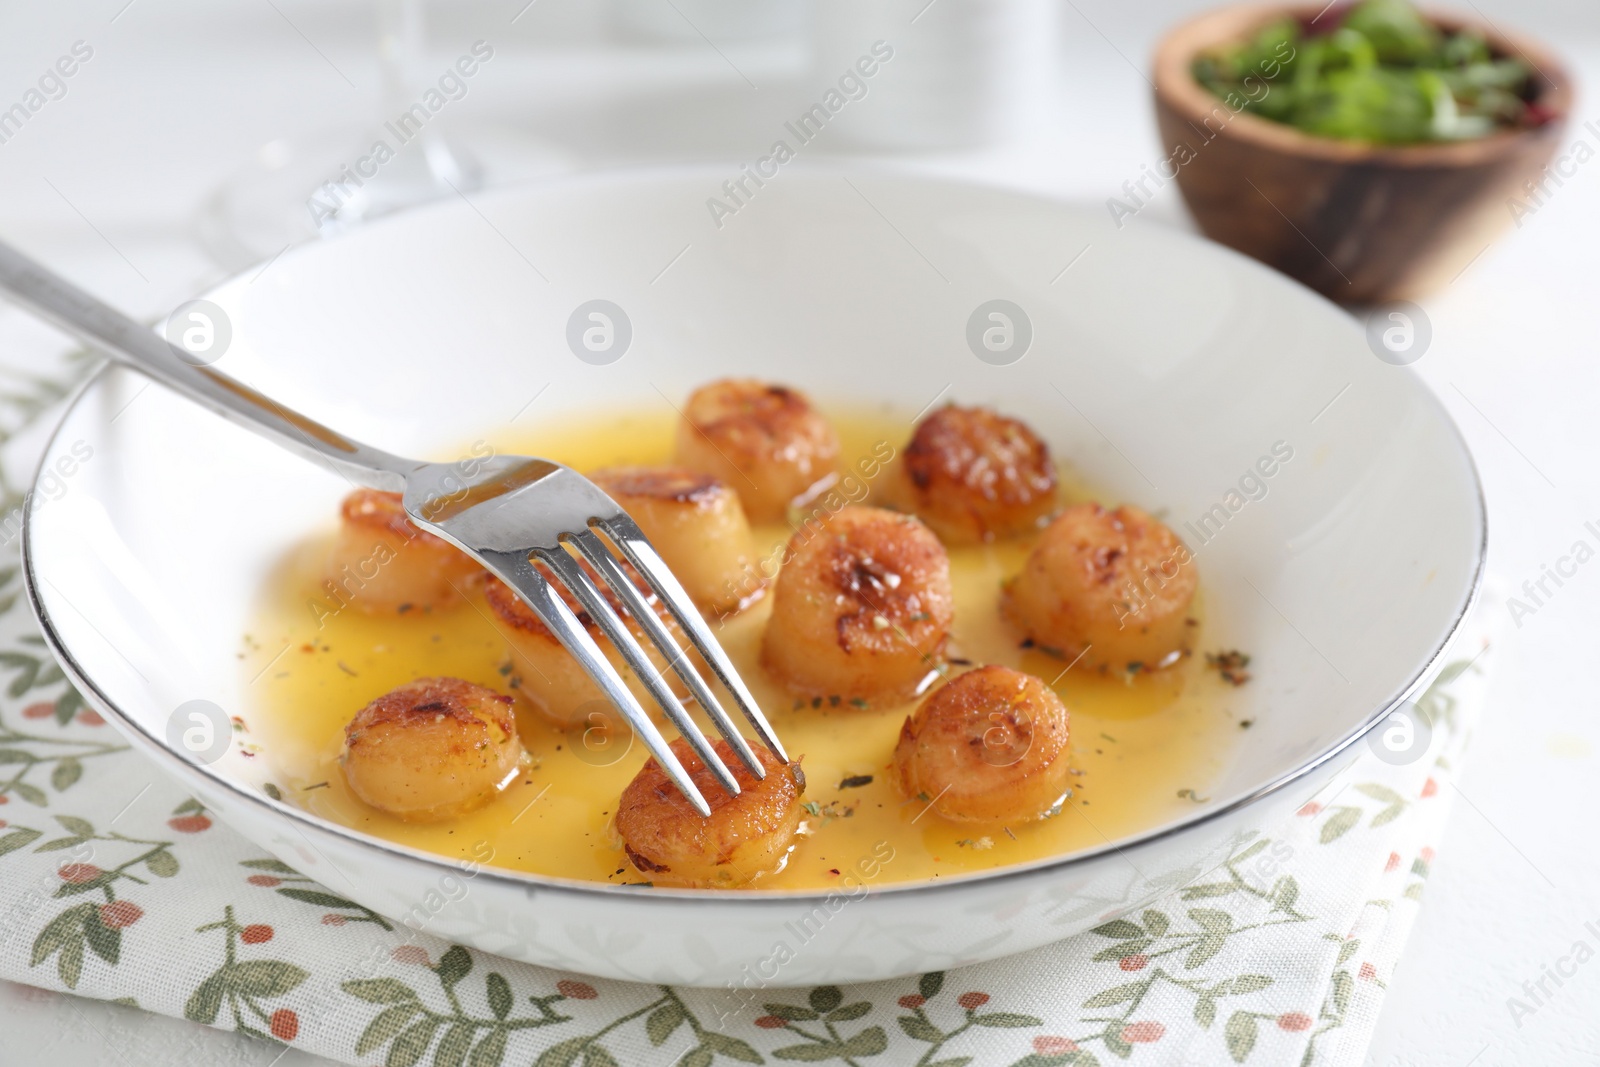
(105, 185)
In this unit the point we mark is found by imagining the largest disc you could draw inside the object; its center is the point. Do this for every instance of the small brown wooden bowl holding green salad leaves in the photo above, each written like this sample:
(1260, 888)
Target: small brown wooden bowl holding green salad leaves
(1359, 223)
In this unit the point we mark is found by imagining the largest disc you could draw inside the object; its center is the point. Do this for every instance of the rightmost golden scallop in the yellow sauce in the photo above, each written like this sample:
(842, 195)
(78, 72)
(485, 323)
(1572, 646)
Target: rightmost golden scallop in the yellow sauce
(1110, 586)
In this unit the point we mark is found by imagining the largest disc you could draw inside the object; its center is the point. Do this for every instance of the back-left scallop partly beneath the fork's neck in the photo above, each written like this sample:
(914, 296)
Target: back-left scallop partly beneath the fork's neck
(383, 564)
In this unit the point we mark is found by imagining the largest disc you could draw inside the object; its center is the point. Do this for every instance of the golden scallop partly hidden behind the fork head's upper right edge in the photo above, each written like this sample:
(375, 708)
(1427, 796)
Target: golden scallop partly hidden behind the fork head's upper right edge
(698, 527)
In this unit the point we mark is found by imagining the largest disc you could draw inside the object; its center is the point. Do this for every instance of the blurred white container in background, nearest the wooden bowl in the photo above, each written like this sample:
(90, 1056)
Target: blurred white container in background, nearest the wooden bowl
(962, 76)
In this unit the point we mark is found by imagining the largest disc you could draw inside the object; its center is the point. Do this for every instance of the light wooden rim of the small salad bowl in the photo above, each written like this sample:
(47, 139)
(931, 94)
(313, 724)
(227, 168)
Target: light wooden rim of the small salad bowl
(1177, 89)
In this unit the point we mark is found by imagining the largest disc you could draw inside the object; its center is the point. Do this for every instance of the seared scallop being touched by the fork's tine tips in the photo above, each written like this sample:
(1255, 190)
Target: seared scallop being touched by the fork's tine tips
(746, 836)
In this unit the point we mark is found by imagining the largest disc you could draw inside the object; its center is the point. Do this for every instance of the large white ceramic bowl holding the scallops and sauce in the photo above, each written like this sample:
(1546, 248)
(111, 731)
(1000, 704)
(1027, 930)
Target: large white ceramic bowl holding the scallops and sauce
(1161, 364)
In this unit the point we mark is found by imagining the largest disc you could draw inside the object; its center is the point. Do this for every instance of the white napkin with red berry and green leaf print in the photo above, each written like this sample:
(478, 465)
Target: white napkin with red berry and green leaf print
(116, 885)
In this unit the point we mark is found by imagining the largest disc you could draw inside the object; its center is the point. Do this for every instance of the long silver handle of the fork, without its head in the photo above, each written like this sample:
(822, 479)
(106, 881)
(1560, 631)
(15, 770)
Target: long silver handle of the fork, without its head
(146, 351)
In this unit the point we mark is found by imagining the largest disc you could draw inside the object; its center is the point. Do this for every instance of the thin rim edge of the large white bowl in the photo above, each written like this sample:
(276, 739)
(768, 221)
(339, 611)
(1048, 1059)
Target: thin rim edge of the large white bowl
(748, 900)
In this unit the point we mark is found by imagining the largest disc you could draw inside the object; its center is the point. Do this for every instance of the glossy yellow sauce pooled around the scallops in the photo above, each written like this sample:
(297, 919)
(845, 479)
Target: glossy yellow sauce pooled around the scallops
(1142, 748)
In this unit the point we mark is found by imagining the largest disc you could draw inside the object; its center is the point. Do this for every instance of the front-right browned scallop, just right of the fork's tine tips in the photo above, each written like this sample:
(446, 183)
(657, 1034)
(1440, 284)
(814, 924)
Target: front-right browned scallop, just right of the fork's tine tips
(990, 746)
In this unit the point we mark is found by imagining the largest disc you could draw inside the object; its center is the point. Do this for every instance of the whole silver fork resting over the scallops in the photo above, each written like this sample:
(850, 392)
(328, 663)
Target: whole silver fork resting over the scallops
(510, 513)
